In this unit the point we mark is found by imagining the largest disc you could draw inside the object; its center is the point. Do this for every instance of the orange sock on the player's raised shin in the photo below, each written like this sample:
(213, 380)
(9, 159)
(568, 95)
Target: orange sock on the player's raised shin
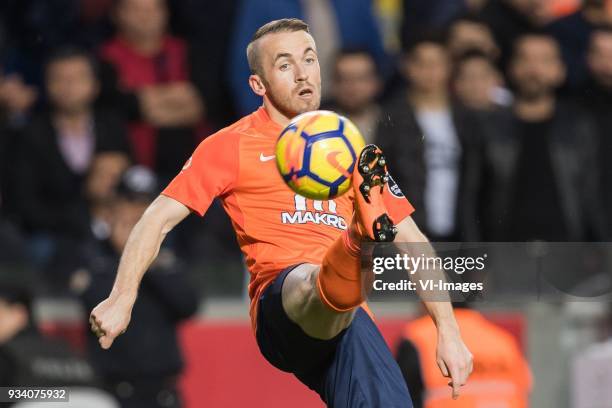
(339, 282)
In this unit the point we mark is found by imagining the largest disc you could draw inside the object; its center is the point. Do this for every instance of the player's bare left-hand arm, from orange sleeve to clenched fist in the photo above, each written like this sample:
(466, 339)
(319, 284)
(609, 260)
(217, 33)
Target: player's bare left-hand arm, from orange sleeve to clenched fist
(111, 317)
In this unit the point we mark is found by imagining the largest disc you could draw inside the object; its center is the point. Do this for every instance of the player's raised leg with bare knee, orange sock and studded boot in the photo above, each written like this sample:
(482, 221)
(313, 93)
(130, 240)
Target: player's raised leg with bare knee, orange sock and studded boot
(322, 299)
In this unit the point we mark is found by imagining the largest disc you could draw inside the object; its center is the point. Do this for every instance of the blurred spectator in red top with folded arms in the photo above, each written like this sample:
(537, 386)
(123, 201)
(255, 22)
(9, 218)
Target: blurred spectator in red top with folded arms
(147, 79)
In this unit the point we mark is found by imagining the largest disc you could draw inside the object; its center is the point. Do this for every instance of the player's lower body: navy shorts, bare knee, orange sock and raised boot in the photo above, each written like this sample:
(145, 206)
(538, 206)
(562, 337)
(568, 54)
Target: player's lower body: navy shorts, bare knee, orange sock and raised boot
(333, 342)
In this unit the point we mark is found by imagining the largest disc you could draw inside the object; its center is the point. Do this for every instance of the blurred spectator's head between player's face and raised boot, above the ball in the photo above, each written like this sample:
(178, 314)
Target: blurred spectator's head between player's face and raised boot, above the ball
(355, 88)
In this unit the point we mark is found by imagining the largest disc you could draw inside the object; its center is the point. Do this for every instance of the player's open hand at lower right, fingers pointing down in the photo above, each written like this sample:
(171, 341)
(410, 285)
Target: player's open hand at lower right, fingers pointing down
(453, 358)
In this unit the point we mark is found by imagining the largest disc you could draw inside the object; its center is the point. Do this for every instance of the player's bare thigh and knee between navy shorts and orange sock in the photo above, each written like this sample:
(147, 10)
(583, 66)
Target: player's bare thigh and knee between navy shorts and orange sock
(304, 307)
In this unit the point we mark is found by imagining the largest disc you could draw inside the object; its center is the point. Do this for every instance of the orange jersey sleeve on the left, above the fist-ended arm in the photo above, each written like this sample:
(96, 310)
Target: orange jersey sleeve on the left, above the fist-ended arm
(210, 172)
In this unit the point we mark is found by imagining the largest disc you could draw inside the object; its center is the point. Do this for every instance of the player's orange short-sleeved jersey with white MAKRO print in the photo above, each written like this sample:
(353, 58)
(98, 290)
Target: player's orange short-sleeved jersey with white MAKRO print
(275, 227)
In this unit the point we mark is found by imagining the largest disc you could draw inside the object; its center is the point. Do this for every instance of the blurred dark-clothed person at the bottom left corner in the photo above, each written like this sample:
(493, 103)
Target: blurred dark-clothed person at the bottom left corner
(27, 358)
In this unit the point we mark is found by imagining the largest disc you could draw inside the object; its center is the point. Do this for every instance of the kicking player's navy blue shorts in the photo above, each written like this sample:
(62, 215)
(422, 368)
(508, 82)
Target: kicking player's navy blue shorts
(354, 369)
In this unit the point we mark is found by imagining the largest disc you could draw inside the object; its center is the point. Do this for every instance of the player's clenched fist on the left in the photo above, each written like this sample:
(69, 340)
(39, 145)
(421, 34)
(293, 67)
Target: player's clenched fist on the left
(110, 318)
